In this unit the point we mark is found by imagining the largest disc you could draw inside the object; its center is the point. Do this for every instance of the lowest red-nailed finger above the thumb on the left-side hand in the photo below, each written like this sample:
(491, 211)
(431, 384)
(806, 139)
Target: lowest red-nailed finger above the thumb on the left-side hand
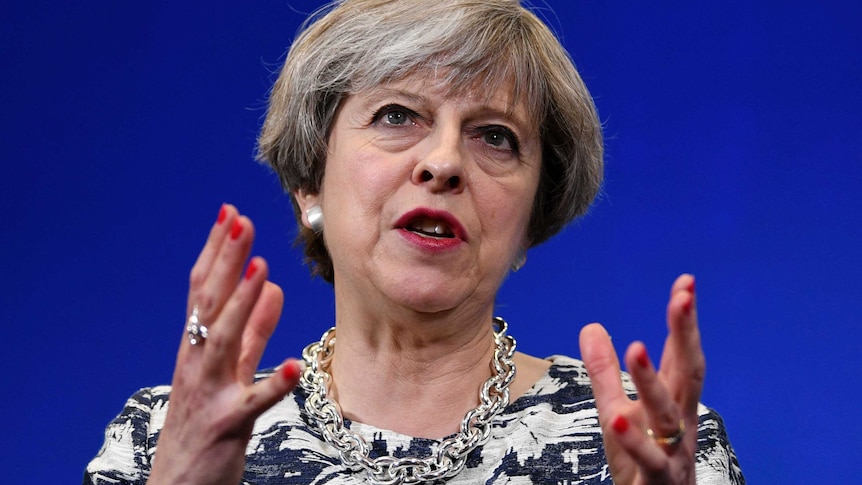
(225, 341)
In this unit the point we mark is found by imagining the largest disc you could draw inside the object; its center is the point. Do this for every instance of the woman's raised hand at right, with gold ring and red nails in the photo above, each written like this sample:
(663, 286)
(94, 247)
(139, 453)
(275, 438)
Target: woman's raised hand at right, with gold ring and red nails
(651, 440)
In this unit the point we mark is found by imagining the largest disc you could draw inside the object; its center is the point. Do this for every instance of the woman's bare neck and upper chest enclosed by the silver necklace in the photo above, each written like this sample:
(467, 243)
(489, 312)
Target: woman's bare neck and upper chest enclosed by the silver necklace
(417, 378)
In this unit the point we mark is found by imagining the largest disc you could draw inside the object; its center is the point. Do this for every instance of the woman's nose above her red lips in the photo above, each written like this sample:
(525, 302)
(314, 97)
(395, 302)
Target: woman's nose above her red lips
(441, 168)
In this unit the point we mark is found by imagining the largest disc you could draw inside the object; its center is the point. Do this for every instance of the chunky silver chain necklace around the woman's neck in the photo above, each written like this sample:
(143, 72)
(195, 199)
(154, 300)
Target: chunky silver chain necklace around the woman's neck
(451, 453)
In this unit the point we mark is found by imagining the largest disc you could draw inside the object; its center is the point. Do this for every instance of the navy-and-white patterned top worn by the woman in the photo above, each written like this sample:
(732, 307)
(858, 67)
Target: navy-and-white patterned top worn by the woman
(549, 435)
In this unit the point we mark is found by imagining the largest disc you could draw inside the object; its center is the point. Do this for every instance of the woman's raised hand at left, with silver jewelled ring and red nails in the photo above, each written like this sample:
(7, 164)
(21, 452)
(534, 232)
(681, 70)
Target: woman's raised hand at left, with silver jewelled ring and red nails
(214, 401)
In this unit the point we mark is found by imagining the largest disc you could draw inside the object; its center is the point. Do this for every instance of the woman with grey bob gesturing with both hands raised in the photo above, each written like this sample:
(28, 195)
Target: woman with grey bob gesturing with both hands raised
(426, 146)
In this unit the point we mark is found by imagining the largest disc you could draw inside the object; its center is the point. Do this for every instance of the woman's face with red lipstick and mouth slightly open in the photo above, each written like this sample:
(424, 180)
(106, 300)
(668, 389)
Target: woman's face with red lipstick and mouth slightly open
(426, 197)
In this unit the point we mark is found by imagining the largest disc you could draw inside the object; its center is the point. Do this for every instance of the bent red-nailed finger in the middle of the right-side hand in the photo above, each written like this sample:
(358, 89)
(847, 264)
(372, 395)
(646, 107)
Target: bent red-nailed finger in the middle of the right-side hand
(662, 412)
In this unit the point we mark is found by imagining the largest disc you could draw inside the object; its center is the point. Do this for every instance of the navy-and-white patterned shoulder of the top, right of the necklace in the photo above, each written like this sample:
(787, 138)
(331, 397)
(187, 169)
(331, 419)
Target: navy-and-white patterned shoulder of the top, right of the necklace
(556, 432)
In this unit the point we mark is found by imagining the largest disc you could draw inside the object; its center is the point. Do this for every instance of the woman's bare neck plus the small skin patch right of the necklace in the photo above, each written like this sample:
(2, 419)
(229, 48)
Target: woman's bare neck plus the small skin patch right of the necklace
(415, 373)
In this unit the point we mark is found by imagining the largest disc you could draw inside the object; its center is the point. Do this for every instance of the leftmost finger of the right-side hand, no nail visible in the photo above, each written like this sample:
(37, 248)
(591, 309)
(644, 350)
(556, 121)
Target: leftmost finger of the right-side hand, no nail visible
(603, 367)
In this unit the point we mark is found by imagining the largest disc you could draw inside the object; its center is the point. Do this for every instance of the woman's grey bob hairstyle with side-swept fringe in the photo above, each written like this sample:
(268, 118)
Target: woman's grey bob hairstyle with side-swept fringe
(354, 45)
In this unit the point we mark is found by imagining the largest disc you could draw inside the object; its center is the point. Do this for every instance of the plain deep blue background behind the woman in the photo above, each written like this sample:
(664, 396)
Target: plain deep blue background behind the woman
(733, 151)
